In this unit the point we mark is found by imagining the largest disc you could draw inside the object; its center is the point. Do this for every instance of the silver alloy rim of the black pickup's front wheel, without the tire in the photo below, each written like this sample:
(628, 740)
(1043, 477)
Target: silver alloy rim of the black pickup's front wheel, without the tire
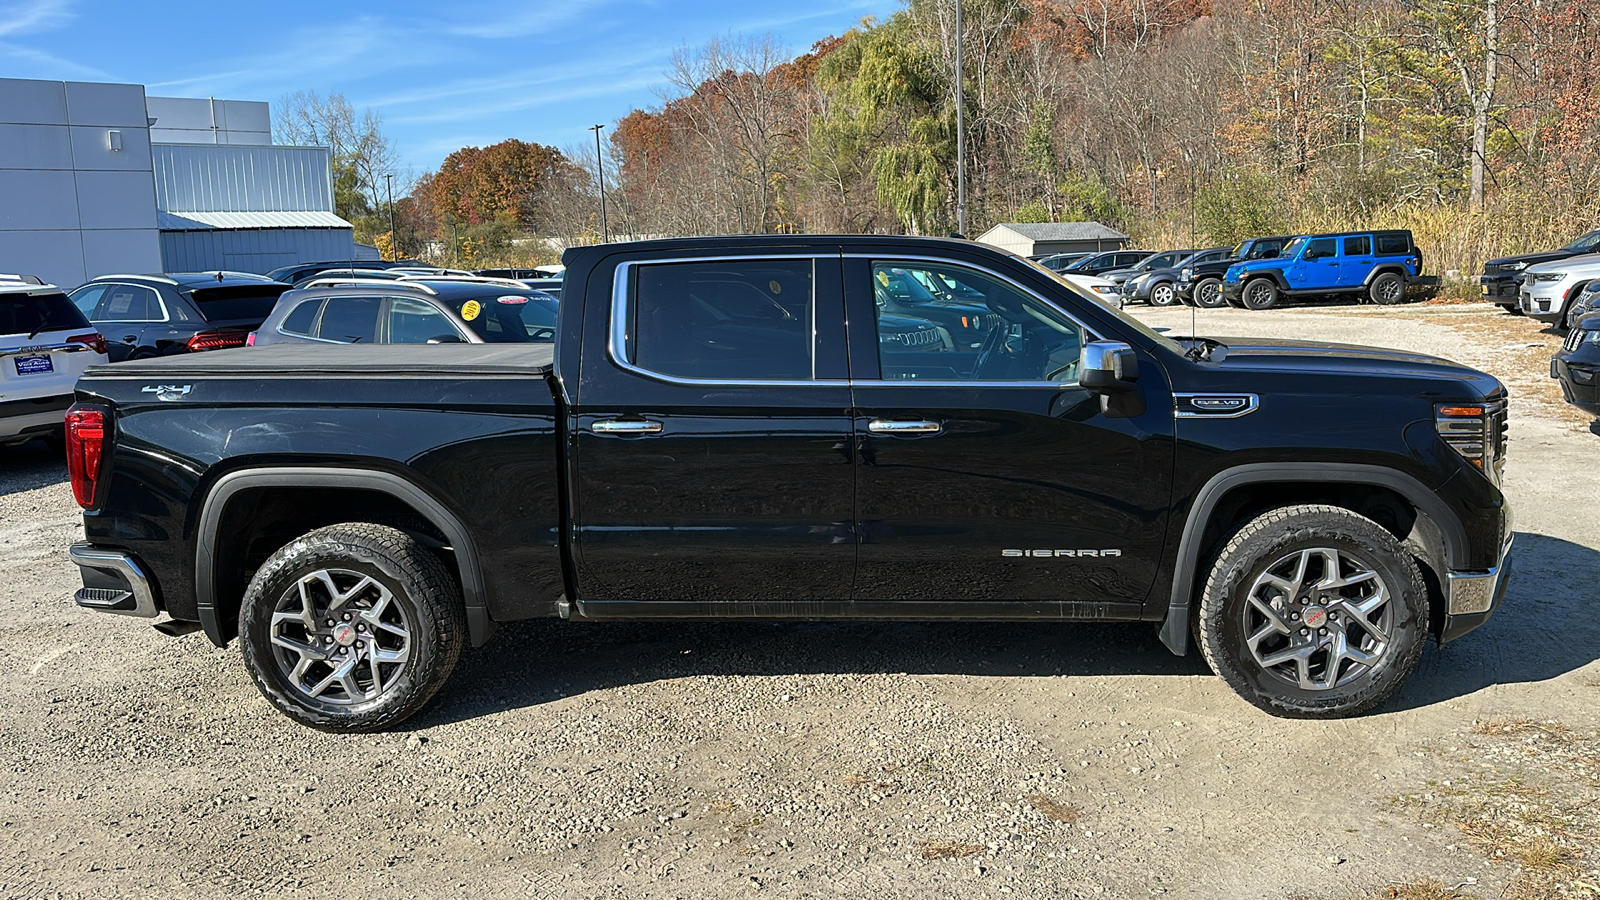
(1319, 619)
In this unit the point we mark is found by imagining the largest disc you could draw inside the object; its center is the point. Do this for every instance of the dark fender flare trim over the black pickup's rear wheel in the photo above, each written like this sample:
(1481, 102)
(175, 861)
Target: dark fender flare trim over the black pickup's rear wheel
(223, 492)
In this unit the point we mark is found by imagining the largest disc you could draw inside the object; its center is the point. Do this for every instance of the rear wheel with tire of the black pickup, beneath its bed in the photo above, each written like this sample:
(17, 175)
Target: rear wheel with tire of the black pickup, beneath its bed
(351, 629)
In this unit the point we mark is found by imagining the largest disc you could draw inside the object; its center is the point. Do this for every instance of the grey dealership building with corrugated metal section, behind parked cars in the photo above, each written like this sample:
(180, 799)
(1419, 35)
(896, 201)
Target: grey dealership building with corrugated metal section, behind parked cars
(89, 187)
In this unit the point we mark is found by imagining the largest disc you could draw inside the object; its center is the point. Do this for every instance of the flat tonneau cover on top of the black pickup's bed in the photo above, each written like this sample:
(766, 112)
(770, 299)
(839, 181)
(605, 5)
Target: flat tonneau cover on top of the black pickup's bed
(302, 361)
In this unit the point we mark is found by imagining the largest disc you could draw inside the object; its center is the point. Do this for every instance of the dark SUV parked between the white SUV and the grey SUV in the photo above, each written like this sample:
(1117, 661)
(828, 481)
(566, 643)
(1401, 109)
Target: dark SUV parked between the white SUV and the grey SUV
(145, 316)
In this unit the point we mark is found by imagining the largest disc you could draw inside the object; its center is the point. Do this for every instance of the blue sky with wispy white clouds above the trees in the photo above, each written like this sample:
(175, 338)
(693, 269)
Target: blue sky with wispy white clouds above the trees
(442, 74)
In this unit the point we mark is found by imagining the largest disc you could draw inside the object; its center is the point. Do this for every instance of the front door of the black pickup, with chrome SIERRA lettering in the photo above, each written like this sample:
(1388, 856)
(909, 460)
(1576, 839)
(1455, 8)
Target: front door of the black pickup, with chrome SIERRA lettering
(990, 476)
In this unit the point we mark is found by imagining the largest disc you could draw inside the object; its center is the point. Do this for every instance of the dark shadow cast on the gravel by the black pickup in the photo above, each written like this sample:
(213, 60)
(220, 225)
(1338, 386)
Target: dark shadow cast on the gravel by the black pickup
(1546, 629)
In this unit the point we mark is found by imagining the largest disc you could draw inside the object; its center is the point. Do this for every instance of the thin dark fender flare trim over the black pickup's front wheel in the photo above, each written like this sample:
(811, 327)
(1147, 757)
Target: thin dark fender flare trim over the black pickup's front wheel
(1175, 629)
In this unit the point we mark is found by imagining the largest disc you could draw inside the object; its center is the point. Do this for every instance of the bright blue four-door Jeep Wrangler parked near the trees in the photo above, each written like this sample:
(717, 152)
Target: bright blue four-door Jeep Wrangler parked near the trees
(1377, 265)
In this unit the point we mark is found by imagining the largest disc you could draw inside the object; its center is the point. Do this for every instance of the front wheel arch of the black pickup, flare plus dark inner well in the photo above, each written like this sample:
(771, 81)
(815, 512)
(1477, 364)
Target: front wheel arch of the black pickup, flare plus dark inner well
(1434, 536)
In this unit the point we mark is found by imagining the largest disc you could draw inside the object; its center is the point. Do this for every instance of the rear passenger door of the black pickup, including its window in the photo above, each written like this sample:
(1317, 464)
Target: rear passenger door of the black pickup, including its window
(711, 440)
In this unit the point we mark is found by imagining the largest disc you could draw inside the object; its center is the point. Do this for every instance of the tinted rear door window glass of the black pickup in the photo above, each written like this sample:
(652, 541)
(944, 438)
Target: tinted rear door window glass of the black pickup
(726, 321)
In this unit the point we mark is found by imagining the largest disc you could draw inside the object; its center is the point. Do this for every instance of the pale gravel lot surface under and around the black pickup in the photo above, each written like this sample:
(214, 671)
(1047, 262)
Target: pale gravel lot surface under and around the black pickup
(802, 760)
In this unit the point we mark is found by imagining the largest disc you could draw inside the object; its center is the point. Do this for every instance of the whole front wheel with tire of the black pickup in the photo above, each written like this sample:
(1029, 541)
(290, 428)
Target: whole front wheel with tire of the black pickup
(1313, 613)
